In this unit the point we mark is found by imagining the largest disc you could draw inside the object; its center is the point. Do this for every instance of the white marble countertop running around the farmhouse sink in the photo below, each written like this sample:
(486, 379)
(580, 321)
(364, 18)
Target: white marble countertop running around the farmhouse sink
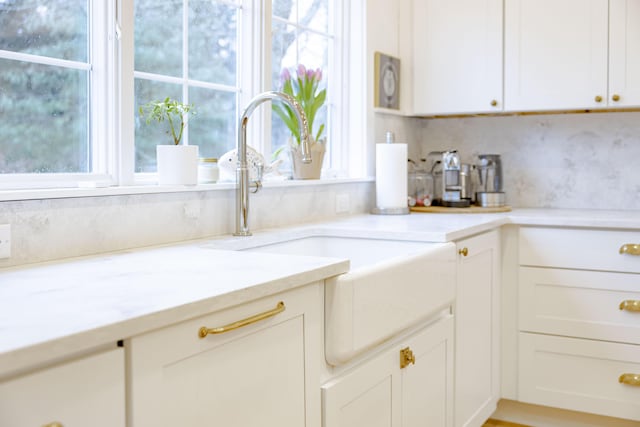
(55, 310)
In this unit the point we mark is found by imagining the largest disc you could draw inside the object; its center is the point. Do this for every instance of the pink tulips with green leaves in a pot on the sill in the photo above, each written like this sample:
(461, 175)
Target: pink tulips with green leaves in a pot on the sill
(304, 88)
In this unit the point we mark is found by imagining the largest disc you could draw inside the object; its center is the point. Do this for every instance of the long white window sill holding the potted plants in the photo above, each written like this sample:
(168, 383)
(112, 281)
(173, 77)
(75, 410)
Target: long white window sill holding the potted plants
(63, 193)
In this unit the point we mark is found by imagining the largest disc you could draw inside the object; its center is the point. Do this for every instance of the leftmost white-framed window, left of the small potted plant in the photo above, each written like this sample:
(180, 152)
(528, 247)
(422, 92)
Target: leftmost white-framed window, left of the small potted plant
(54, 62)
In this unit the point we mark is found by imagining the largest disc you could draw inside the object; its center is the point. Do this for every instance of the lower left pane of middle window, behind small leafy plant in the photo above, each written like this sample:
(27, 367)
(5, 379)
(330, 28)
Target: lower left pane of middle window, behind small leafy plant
(154, 133)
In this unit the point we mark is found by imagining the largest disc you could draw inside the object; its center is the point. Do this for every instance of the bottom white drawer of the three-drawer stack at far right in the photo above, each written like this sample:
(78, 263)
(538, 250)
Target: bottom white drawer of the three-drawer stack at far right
(579, 375)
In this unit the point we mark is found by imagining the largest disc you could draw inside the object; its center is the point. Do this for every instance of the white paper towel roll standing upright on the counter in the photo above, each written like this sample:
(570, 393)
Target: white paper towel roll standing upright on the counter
(391, 176)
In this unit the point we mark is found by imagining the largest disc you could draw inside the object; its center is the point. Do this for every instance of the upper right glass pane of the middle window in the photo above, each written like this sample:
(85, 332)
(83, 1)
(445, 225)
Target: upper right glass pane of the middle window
(212, 42)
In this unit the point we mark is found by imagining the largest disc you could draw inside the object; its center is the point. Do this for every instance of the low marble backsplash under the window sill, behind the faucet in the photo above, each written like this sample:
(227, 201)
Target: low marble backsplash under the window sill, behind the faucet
(53, 229)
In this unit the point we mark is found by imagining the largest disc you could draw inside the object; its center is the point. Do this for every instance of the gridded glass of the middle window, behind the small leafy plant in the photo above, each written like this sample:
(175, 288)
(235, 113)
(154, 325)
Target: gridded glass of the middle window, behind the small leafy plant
(201, 69)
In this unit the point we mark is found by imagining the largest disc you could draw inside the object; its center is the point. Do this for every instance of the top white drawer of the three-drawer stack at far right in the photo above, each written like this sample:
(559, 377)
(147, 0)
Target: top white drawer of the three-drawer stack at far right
(578, 248)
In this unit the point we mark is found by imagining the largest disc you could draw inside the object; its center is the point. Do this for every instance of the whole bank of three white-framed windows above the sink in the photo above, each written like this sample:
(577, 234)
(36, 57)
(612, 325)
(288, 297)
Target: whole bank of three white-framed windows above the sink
(75, 72)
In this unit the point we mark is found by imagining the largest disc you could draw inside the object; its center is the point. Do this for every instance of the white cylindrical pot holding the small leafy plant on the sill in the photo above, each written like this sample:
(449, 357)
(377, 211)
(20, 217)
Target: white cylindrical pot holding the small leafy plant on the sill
(177, 164)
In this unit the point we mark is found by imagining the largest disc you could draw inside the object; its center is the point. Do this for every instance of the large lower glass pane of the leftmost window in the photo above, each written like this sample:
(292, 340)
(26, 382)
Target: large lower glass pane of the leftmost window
(44, 111)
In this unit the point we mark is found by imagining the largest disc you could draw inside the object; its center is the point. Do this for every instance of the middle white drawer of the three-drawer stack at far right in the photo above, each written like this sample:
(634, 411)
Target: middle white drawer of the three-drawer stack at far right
(578, 303)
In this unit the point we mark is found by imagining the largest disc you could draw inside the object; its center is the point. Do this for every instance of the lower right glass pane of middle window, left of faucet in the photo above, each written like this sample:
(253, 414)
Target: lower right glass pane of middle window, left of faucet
(213, 128)
